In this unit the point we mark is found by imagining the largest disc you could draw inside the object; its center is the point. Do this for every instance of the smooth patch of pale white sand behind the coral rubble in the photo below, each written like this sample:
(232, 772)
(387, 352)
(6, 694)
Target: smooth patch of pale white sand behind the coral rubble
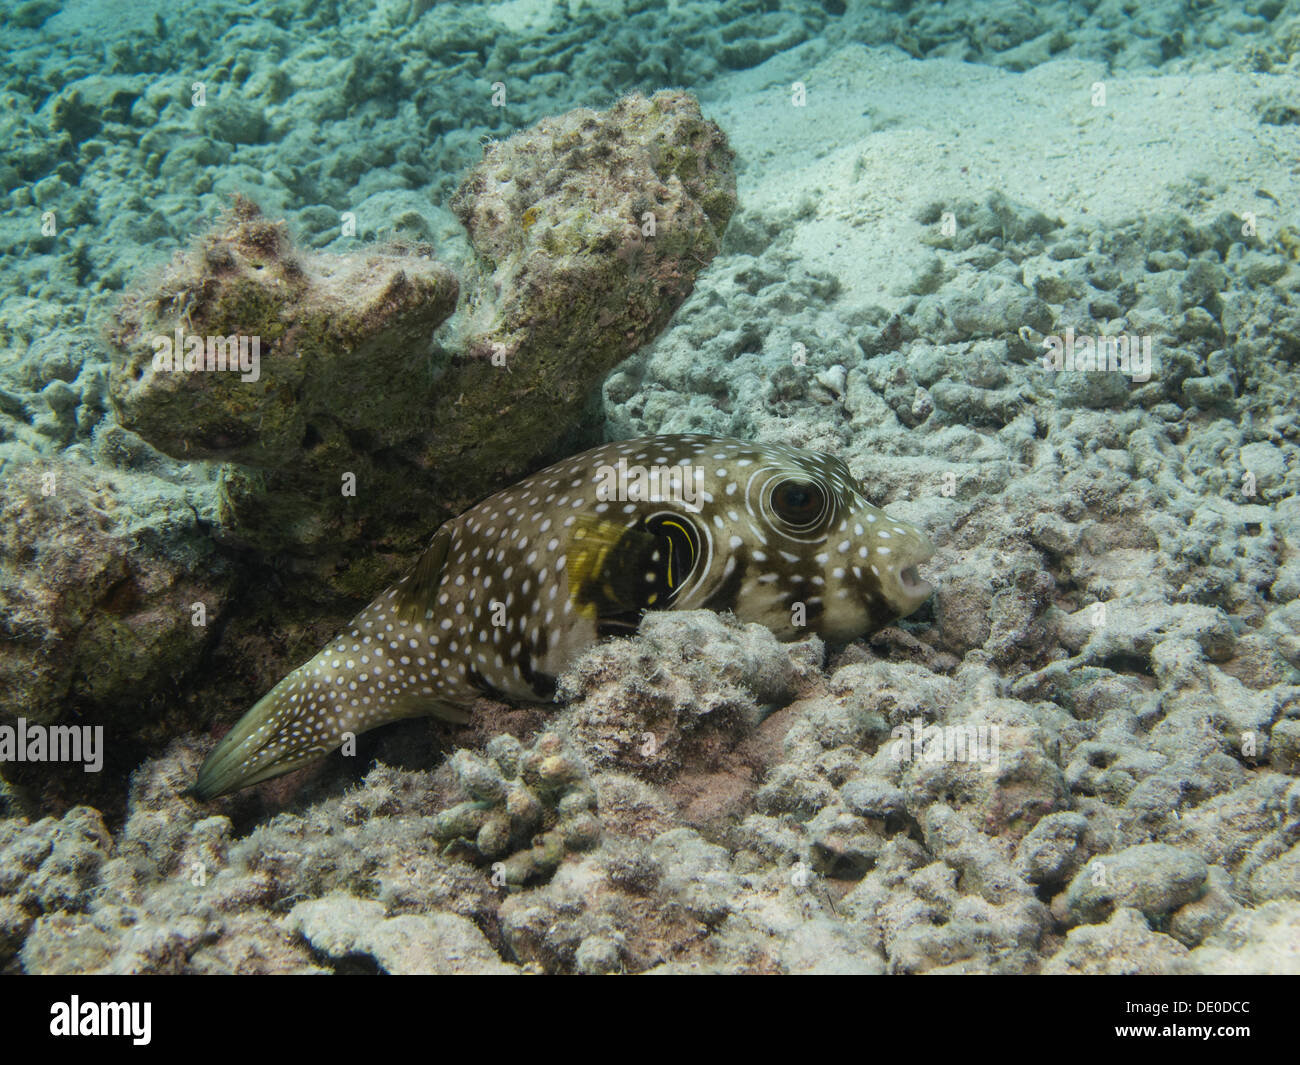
(942, 131)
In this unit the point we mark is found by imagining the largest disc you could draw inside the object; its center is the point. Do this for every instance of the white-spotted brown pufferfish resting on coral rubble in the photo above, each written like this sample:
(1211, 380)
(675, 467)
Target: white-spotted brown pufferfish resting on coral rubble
(510, 592)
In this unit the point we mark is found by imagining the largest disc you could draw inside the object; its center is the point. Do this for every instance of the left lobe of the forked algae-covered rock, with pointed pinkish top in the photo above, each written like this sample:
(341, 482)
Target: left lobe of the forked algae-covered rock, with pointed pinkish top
(294, 352)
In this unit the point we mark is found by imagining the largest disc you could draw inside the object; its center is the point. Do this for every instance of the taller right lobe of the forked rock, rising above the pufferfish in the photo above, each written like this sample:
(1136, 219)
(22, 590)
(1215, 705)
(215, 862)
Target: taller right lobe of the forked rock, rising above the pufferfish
(590, 230)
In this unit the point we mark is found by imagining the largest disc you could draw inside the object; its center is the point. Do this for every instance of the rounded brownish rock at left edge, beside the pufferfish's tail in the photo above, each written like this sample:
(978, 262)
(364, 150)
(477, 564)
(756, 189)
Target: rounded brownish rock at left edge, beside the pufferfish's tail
(107, 591)
